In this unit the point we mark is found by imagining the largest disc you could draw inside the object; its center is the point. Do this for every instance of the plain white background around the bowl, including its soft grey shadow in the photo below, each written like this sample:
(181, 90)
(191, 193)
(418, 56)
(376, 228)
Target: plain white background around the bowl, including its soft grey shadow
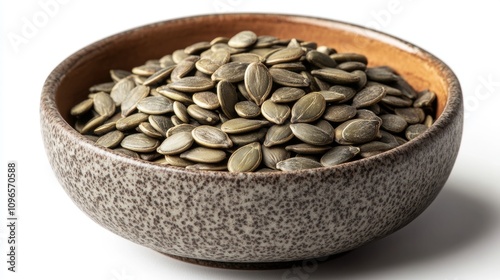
(457, 237)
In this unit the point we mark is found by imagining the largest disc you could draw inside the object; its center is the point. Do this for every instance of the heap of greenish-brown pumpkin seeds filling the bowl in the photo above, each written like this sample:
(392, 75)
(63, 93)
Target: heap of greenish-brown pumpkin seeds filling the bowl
(254, 103)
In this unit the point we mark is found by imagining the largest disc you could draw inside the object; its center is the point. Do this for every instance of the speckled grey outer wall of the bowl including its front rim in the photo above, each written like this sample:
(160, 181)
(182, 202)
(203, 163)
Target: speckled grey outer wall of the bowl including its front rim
(252, 217)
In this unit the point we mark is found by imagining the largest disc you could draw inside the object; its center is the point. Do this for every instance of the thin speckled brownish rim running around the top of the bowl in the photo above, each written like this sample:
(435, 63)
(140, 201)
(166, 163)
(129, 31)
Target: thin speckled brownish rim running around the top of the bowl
(451, 110)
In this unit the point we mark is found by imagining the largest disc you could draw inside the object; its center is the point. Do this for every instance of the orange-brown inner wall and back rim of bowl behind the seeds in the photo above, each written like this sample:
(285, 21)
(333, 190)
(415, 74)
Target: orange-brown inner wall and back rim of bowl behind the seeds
(131, 48)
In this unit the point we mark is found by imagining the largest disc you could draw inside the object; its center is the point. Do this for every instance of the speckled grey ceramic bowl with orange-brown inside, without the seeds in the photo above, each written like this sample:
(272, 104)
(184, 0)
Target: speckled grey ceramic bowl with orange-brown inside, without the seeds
(249, 219)
